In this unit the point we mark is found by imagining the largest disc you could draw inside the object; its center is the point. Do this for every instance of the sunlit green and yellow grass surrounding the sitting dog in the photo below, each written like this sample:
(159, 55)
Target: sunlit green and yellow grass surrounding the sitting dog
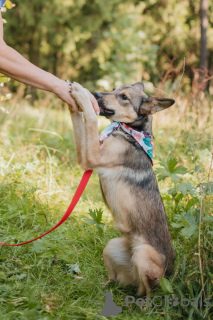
(59, 276)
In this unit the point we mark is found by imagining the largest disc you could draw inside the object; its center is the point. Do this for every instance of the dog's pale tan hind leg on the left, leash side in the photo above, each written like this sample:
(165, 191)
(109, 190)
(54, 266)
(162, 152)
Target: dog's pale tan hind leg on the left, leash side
(117, 258)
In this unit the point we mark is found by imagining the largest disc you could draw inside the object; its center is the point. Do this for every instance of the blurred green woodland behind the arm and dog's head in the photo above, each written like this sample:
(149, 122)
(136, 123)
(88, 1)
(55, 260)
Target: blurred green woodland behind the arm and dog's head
(106, 43)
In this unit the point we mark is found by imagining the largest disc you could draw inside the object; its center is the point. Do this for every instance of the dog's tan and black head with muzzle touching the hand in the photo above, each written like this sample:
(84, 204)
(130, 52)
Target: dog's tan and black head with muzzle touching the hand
(129, 104)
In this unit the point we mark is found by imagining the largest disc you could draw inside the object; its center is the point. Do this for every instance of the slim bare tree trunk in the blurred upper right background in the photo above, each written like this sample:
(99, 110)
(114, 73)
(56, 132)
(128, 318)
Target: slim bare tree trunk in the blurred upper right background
(203, 42)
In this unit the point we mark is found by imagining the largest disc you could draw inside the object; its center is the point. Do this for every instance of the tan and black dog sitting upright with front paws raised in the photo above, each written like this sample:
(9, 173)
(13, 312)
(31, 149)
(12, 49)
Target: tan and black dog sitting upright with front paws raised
(144, 252)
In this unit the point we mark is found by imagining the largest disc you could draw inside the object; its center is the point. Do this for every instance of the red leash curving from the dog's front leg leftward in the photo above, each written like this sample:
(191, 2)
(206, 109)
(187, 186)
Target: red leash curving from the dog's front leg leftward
(77, 195)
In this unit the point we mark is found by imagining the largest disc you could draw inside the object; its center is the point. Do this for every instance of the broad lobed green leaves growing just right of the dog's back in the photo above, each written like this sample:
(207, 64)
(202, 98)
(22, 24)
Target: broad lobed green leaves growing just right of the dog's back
(186, 197)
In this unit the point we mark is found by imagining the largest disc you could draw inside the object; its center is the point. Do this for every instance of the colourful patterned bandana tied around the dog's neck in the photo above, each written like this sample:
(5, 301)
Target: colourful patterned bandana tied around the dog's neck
(143, 138)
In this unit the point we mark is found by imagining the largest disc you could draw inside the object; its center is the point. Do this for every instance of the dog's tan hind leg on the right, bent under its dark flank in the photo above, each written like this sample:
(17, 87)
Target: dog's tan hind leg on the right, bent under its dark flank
(148, 267)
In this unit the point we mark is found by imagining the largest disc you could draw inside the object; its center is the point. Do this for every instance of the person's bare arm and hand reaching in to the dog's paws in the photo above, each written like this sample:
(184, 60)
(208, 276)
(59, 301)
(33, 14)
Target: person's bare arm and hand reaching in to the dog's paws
(15, 66)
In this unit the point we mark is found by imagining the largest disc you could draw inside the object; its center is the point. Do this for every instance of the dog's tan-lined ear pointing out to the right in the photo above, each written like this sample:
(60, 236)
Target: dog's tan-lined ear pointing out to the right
(155, 104)
